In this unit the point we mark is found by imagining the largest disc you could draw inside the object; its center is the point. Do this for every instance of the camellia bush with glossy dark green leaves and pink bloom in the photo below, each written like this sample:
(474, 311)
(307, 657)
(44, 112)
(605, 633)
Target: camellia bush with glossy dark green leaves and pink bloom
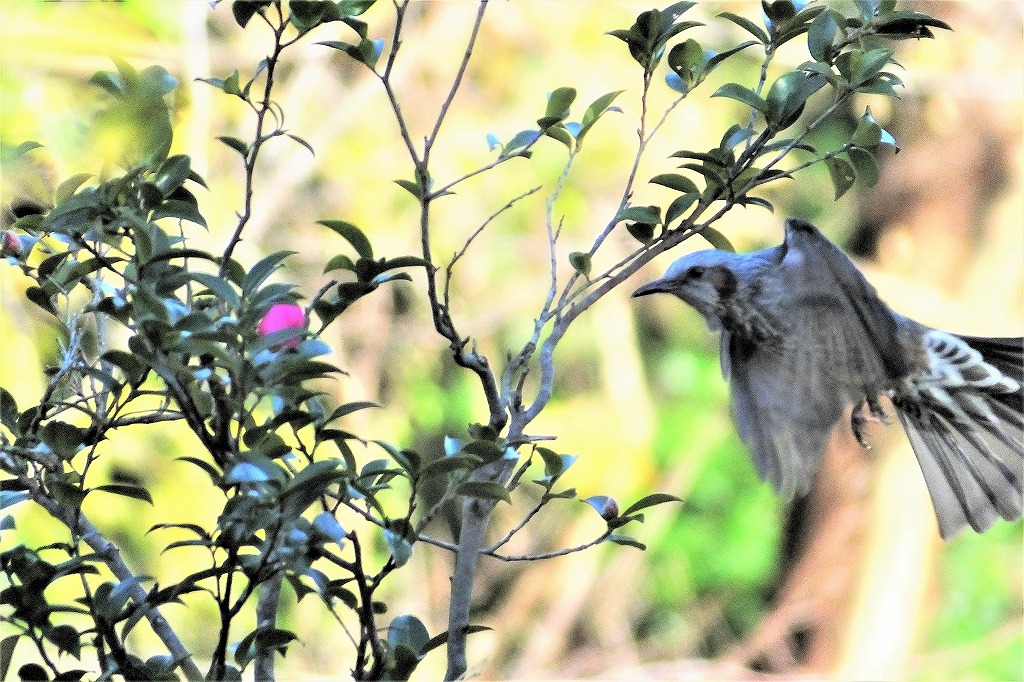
(154, 329)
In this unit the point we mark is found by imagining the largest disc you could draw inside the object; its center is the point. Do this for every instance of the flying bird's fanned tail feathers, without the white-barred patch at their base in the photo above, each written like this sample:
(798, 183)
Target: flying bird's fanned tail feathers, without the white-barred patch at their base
(973, 463)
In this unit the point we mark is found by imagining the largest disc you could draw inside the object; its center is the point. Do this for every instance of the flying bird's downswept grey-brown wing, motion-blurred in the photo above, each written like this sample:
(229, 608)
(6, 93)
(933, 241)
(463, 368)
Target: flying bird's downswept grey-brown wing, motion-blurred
(839, 344)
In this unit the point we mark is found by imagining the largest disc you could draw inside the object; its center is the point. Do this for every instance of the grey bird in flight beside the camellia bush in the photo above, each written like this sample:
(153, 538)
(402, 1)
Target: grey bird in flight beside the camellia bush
(804, 337)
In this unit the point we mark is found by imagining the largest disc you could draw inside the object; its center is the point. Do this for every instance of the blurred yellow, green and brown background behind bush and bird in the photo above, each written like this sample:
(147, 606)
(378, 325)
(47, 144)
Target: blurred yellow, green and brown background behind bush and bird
(852, 582)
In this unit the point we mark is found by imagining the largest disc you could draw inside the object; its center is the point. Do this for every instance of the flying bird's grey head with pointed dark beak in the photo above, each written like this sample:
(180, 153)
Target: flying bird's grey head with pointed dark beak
(706, 280)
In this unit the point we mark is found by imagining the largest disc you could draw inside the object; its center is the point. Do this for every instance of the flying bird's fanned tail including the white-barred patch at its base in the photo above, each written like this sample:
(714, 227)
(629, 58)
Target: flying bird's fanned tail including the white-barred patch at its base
(964, 413)
